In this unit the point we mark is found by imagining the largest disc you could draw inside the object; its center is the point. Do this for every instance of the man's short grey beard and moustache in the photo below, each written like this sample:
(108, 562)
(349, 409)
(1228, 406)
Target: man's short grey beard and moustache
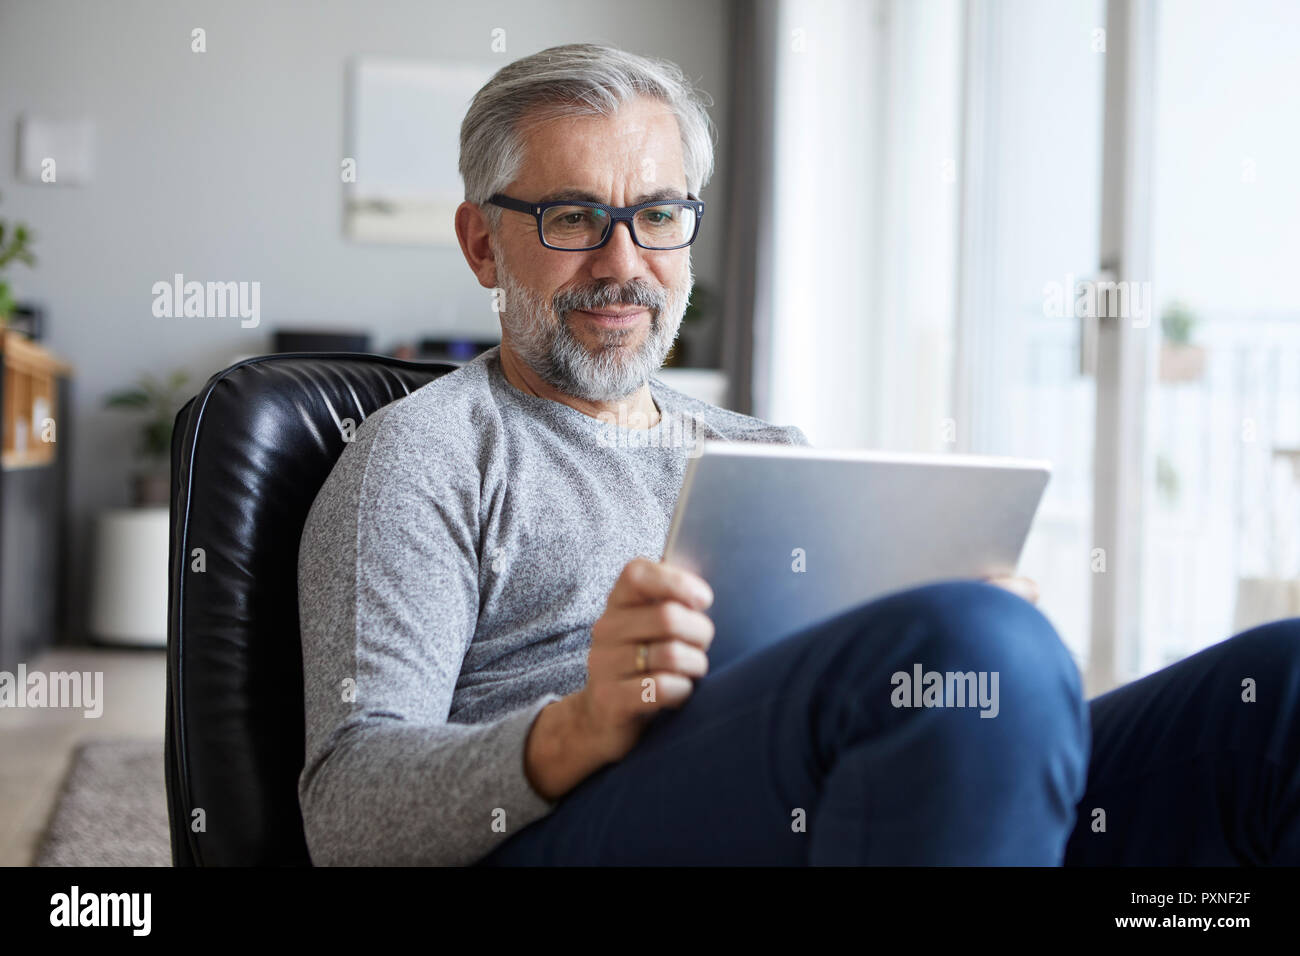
(614, 370)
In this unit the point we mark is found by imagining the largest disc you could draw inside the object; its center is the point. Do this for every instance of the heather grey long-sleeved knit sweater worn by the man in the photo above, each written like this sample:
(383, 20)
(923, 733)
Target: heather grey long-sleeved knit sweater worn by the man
(449, 577)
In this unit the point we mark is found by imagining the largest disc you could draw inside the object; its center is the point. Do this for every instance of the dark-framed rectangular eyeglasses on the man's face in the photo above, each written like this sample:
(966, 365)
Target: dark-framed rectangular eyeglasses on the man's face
(575, 226)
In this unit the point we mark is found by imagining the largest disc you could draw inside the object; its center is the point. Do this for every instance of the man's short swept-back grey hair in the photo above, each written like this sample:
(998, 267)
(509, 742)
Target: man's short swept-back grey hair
(574, 80)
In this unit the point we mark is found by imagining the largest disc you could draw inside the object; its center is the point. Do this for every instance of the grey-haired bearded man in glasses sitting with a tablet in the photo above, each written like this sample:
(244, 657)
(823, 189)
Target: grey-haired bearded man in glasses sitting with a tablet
(499, 669)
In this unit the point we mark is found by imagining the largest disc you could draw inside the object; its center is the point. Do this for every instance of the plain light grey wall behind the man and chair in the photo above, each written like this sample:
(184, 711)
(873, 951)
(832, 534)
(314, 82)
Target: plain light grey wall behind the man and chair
(226, 166)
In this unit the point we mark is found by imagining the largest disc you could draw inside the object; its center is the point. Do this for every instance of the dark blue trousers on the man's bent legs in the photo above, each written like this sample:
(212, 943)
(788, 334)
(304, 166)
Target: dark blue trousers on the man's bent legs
(850, 743)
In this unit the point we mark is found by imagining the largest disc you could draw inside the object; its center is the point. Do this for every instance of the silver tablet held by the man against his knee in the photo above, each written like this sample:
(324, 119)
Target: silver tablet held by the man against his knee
(790, 535)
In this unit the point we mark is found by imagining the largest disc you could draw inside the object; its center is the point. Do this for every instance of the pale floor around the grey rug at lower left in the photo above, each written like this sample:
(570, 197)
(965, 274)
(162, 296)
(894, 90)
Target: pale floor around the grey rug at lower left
(38, 743)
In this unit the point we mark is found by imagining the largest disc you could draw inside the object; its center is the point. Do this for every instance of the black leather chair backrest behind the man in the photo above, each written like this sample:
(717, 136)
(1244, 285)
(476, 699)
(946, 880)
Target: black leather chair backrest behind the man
(249, 455)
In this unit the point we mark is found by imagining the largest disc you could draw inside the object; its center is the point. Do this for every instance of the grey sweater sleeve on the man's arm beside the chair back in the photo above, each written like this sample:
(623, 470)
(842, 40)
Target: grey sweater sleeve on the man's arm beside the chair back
(388, 602)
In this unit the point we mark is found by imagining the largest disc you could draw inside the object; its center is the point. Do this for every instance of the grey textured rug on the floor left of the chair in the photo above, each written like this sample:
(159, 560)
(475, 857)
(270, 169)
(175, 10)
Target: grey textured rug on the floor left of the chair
(112, 811)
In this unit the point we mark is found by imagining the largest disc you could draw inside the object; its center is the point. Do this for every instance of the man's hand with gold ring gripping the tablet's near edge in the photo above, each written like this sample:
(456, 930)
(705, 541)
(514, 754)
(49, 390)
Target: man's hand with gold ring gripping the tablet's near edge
(647, 651)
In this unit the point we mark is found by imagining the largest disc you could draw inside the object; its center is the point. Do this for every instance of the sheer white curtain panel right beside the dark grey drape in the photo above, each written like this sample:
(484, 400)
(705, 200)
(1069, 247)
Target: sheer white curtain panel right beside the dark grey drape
(855, 341)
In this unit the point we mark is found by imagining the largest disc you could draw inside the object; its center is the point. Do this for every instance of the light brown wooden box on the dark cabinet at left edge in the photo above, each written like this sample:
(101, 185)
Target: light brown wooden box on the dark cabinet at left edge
(31, 399)
